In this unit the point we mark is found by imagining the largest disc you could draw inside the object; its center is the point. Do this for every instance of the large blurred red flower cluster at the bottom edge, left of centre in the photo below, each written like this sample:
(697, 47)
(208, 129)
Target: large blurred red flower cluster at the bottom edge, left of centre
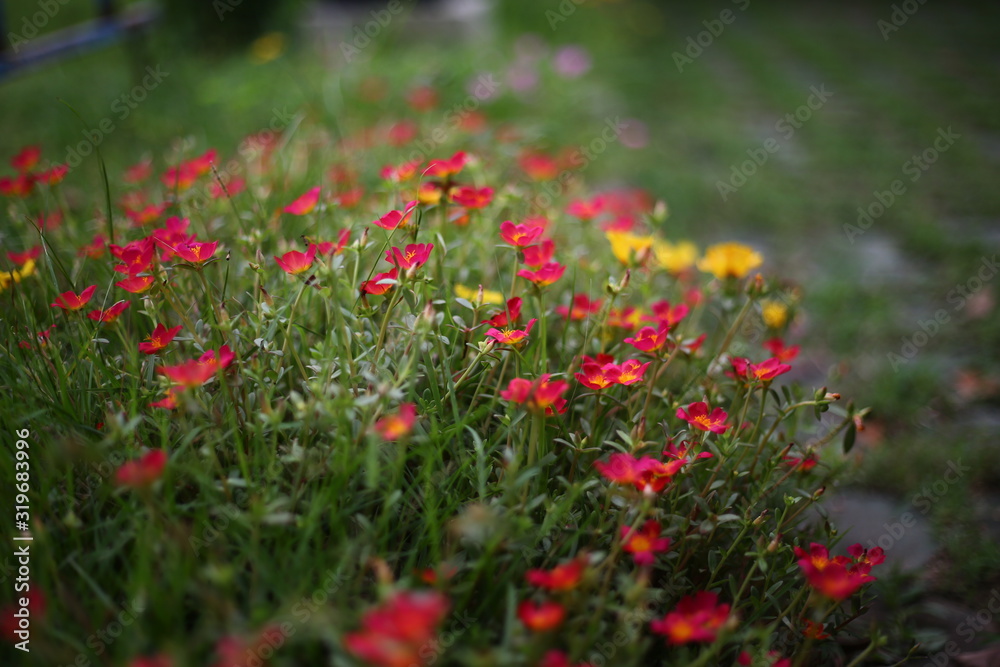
(396, 633)
